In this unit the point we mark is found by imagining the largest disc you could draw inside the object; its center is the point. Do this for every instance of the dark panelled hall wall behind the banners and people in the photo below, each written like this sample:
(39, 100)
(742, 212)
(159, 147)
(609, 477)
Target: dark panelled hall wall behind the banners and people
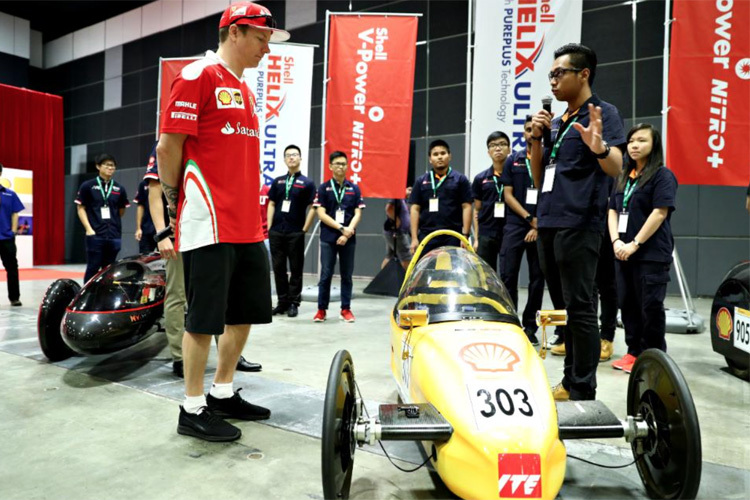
(109, 84)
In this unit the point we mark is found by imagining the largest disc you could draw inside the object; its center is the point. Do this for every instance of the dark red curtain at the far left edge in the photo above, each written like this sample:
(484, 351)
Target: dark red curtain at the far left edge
(31, 138)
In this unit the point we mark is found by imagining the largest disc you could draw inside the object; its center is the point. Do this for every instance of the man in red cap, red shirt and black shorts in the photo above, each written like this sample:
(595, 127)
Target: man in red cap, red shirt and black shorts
(208, 156)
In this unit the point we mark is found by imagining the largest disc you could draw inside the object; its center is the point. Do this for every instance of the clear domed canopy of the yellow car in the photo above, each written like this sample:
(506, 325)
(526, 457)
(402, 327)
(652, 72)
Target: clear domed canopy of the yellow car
(453, 284)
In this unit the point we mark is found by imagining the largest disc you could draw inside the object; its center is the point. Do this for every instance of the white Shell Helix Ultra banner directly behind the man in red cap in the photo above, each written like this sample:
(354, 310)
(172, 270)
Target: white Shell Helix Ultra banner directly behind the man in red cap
(282, 85)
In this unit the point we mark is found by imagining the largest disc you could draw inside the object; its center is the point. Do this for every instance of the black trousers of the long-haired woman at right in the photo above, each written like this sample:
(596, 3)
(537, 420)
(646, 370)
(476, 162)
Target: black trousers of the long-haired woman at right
(642, 286)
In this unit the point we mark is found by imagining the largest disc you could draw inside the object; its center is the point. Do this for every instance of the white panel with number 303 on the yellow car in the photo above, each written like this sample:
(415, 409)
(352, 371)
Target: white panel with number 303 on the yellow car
(496, 404)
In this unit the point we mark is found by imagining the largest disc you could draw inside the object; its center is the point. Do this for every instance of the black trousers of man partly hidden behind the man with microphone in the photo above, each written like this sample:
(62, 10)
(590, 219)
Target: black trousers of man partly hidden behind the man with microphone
(511, 255)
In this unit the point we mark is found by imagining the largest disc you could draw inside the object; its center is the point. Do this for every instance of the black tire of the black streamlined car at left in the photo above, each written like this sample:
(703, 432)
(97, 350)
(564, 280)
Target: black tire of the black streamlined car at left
(51, 311)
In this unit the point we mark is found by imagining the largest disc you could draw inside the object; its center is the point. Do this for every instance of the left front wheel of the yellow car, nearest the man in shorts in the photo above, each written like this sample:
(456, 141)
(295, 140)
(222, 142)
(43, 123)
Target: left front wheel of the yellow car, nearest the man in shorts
(338, 443)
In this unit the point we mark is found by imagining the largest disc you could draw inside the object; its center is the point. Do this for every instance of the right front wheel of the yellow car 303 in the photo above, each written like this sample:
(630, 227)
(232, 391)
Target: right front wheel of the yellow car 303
(670, 466)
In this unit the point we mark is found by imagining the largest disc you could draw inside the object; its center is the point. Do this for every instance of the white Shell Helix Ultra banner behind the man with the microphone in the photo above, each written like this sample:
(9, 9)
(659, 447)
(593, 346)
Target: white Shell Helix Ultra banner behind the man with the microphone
(514, 45)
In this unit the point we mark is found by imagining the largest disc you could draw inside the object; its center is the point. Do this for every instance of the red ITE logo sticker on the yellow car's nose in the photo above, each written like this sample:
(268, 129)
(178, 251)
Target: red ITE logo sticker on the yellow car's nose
(519, 475)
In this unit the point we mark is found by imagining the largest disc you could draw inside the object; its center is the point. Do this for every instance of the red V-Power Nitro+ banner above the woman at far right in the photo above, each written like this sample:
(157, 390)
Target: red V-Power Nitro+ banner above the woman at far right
(709, 92)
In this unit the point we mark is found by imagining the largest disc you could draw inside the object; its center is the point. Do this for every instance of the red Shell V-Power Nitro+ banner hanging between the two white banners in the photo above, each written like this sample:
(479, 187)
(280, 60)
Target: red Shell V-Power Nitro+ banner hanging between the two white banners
(369, 99)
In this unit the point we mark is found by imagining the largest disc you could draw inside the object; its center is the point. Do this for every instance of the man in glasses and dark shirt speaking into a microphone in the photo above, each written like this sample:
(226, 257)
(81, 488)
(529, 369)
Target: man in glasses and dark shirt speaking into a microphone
(571, 176)
